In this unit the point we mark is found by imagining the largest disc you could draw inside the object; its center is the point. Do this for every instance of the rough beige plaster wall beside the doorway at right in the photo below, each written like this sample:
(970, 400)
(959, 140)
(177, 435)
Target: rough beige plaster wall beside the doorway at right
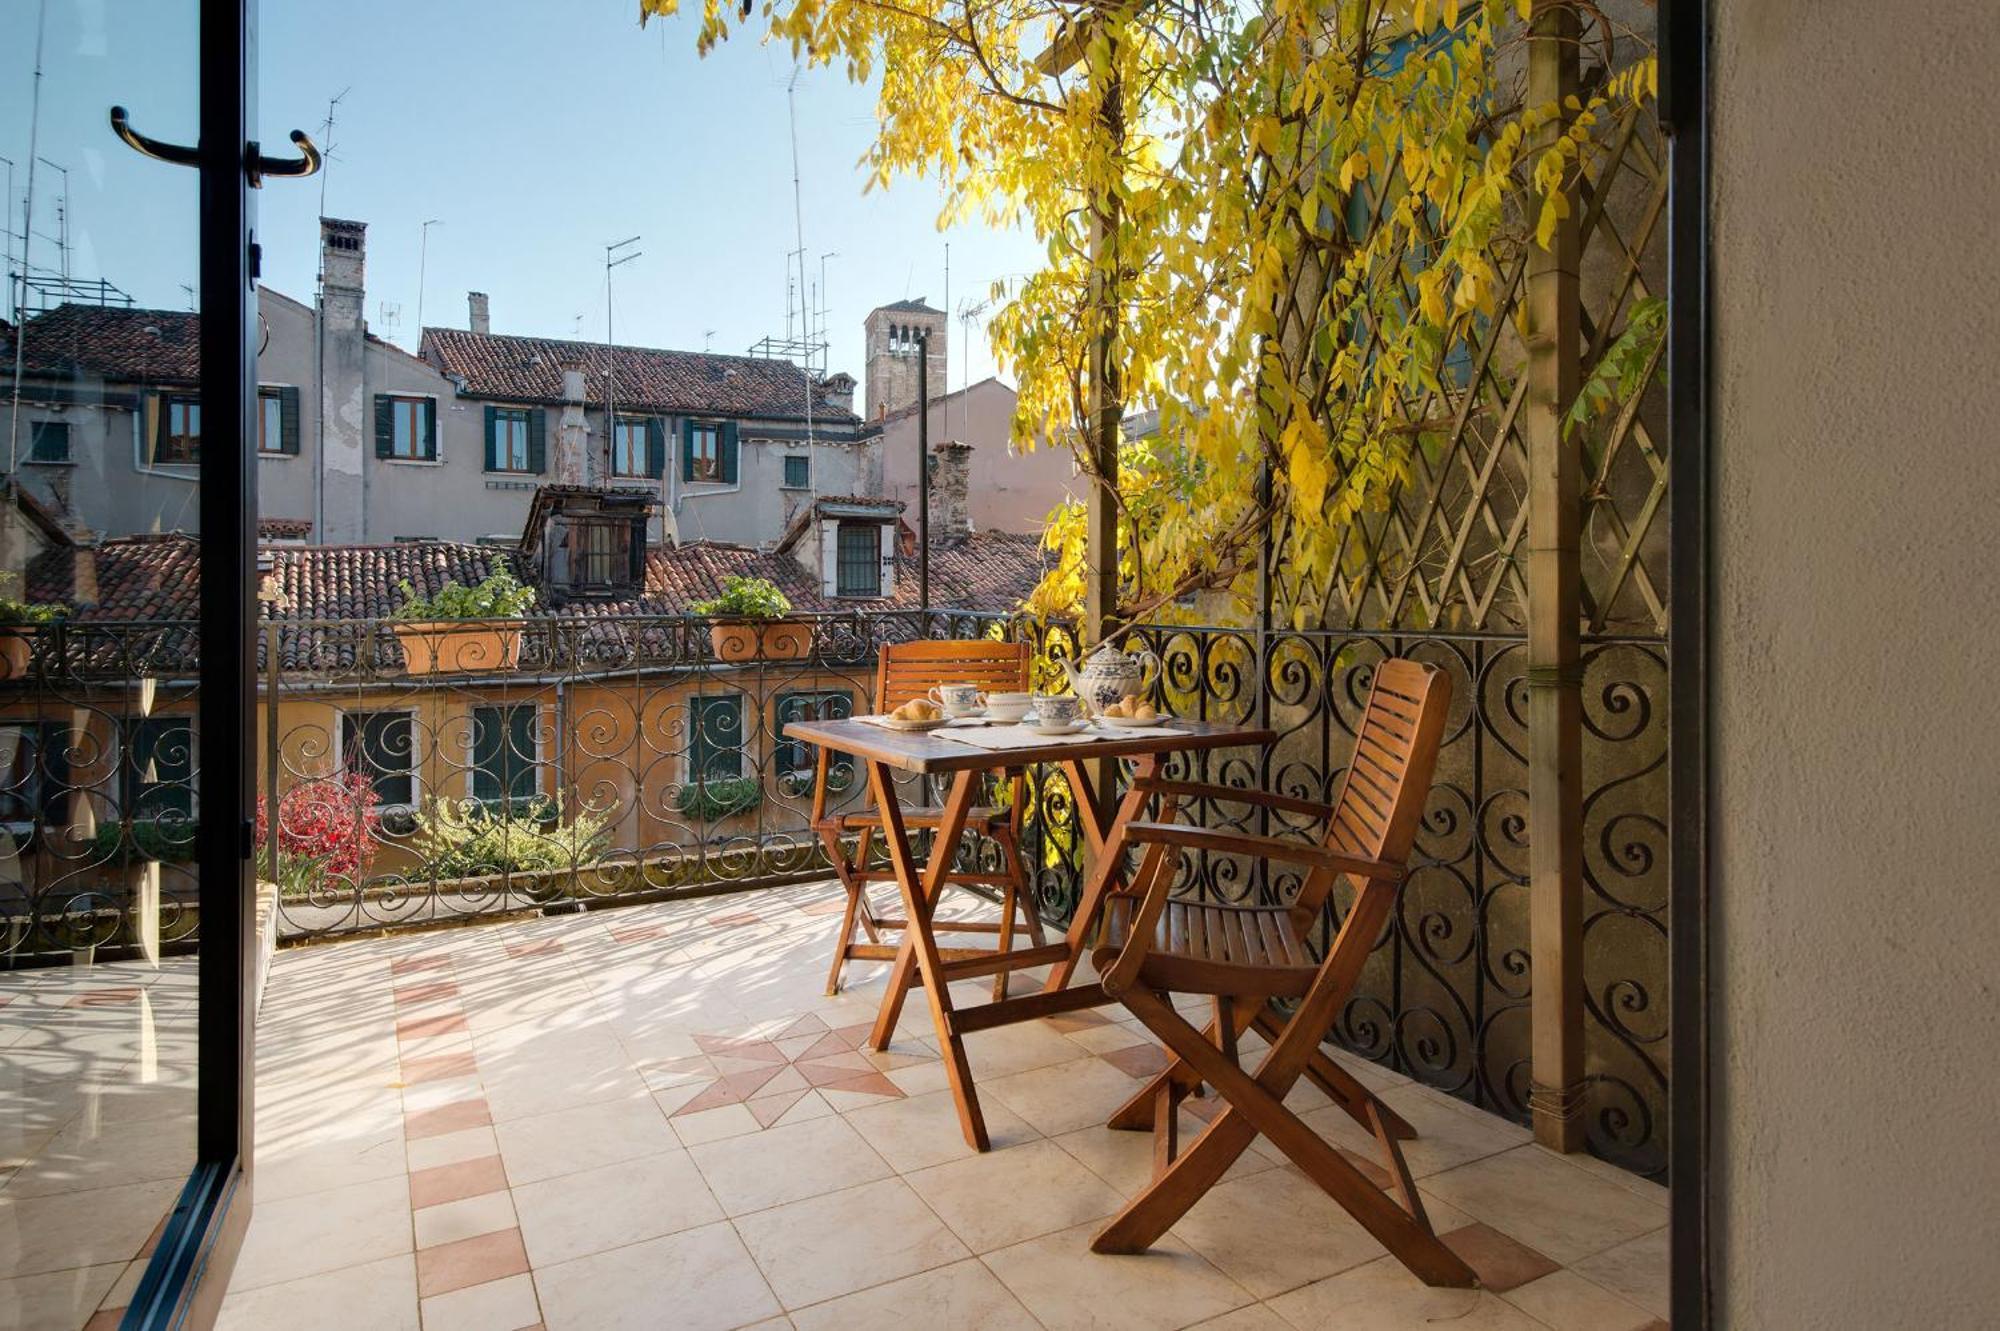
(1857, 639)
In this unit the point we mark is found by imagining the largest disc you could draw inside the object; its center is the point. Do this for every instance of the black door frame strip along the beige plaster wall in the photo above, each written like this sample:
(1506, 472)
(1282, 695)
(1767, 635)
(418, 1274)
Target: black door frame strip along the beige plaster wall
(1683, 45)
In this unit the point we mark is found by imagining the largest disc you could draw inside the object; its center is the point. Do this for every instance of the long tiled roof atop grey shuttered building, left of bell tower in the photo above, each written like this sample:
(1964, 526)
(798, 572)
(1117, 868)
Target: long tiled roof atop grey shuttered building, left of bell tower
(647, 379)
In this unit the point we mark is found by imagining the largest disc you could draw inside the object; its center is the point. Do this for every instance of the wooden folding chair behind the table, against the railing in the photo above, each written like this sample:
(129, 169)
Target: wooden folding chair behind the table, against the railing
(911, 670)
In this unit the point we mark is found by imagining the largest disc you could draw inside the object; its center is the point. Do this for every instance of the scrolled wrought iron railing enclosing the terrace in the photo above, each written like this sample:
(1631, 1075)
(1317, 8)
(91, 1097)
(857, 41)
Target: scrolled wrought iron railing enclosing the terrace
(621, 760)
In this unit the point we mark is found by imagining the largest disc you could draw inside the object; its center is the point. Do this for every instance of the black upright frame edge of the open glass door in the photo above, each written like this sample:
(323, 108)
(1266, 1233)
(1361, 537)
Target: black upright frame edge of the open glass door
(189, 1272)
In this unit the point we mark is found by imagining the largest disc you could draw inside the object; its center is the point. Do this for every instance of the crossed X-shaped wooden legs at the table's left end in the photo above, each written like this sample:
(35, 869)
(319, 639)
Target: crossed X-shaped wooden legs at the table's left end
(919, 940)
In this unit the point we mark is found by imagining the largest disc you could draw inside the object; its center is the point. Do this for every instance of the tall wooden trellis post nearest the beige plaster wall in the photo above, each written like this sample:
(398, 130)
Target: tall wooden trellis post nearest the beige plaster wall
(1555, 611)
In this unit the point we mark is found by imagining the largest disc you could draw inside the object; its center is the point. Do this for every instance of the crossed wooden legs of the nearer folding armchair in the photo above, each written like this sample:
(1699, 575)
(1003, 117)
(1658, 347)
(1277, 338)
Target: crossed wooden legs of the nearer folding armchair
(1257, 1106)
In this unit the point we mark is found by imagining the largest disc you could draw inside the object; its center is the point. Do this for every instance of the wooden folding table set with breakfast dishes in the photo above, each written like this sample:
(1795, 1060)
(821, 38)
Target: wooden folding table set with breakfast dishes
(919, 960)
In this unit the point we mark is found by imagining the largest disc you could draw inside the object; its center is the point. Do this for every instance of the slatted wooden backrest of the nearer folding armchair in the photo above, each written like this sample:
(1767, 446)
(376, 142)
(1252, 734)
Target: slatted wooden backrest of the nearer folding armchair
(1387, 784)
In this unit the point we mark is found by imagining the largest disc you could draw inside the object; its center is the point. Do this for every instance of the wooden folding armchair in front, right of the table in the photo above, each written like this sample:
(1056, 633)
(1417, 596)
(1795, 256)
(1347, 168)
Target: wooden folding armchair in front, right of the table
(1251, 958)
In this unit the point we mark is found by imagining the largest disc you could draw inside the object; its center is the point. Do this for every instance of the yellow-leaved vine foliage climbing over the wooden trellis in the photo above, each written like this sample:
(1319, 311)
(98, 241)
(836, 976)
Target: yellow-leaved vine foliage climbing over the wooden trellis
(1307, 211)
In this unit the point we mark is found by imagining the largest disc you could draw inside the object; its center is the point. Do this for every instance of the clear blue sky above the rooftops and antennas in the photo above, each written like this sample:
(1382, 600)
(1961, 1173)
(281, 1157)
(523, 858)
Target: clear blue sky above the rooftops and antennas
(535, 131)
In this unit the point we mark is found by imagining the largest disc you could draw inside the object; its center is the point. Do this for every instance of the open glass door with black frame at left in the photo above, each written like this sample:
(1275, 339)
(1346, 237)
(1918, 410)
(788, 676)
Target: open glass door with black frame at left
(127, 397)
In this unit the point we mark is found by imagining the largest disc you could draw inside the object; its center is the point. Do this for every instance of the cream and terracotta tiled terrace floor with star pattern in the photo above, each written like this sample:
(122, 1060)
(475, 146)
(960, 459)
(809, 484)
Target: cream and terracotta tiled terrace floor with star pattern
(655, 1118)
